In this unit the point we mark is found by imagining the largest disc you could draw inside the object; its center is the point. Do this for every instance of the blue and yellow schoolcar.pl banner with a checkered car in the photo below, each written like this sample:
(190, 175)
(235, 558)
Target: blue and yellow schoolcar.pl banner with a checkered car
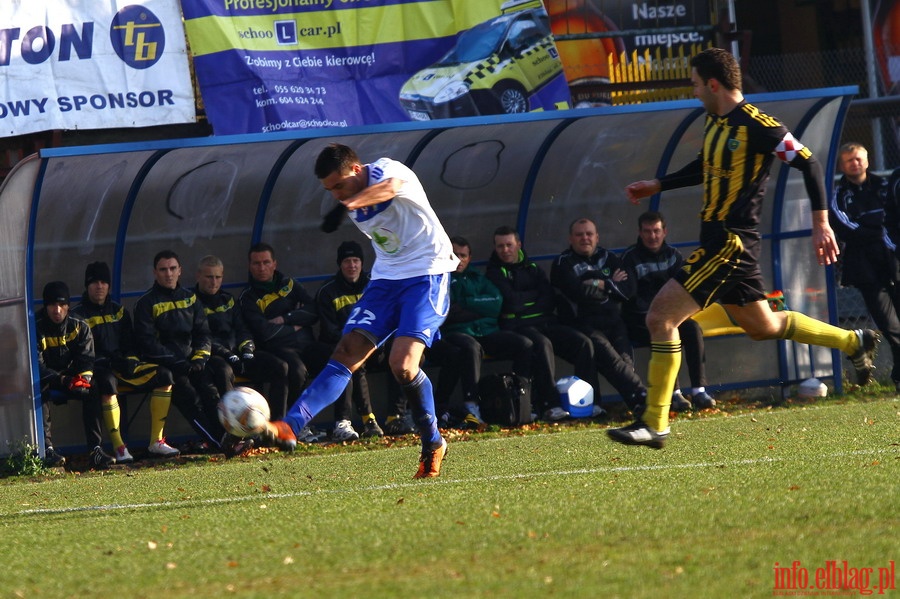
(272, 65)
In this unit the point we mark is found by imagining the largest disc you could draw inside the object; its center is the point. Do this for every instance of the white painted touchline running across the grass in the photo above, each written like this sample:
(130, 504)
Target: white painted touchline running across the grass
(580, 471)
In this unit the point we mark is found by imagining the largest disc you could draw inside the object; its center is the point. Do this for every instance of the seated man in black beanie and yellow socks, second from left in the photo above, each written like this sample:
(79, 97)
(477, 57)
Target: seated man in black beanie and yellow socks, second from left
(117, 361)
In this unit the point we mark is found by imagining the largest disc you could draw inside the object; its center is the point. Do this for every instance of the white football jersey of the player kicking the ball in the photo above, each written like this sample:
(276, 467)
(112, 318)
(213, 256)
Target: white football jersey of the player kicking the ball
(408, 238)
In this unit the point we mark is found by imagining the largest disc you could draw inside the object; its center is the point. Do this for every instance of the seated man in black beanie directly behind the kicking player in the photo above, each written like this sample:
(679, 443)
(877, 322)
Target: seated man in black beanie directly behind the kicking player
(334, 302)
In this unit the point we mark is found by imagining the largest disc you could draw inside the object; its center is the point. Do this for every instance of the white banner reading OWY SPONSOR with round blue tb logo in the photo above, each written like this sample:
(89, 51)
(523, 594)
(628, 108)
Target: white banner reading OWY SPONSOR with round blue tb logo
(70, 64)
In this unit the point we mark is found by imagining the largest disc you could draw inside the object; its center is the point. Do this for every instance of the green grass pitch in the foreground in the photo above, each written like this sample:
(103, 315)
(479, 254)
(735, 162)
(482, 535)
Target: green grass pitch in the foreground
(737, 505)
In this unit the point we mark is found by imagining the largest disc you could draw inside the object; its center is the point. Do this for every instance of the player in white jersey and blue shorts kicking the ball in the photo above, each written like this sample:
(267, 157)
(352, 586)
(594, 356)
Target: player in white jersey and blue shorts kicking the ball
(407, 297)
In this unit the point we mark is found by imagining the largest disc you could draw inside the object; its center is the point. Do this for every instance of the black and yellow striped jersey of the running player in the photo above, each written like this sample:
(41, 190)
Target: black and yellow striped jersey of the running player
(734, 164)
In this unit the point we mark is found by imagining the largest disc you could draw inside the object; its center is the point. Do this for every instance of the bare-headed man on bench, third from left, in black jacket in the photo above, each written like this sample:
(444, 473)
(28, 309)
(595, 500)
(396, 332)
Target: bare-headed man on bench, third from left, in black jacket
(170, 329)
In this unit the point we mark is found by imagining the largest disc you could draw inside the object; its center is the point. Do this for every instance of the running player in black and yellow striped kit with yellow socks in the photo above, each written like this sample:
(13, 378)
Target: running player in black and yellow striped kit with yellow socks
(740, 143)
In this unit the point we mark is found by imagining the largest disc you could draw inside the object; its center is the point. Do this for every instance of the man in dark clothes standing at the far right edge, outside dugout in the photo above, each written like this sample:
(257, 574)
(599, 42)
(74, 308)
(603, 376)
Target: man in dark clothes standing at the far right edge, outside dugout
(868, 260)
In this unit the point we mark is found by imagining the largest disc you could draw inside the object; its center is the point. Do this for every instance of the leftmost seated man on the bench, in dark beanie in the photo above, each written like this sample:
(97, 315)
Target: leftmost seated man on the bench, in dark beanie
(65, 363)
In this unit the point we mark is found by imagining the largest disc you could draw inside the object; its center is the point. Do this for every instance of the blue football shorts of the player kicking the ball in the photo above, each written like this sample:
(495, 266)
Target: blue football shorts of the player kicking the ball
(414, 307)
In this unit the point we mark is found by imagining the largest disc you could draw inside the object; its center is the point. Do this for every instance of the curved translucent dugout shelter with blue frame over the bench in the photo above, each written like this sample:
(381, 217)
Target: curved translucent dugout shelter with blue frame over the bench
(67, 207)
